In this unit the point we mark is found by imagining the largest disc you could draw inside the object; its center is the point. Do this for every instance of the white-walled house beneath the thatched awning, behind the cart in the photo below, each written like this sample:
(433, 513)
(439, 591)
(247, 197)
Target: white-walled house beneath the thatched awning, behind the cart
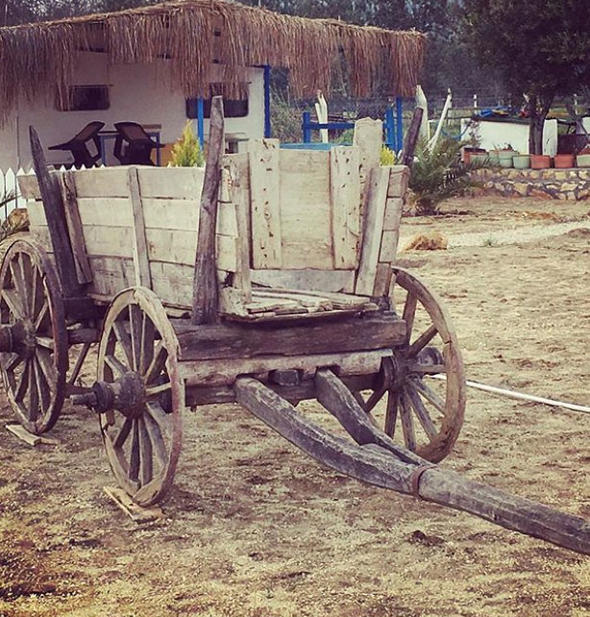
(139, 93)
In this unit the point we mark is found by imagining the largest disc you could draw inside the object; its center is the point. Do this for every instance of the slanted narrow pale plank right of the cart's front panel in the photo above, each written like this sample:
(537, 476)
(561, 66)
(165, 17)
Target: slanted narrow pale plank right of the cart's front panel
(372, 230)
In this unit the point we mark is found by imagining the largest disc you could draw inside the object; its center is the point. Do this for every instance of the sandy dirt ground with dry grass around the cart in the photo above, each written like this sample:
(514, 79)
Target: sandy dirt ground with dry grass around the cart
(254, 528)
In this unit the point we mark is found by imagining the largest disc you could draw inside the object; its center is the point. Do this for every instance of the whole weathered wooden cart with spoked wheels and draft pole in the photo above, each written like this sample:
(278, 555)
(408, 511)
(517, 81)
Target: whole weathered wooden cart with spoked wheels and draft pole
(279, 285)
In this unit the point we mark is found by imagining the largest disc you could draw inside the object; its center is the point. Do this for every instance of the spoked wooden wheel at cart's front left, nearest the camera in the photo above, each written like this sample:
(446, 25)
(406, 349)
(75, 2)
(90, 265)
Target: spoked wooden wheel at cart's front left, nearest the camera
(138, 372)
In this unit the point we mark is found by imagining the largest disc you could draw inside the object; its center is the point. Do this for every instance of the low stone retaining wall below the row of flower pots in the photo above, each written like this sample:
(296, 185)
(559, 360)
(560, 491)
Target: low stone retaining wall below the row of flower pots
(571, 184)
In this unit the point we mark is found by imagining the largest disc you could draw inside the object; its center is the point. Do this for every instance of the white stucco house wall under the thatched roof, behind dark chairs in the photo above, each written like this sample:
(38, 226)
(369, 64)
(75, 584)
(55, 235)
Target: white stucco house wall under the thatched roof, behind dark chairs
(138, 93)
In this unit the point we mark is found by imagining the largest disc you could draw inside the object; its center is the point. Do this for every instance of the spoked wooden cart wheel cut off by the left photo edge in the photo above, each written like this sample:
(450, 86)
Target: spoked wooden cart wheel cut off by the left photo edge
(34, 358)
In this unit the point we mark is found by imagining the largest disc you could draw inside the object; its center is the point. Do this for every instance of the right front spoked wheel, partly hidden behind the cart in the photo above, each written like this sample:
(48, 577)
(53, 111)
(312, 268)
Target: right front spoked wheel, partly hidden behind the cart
(424, 384)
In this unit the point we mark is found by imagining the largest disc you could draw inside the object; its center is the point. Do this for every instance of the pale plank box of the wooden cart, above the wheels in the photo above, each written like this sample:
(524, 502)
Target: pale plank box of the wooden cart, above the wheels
(289, 221)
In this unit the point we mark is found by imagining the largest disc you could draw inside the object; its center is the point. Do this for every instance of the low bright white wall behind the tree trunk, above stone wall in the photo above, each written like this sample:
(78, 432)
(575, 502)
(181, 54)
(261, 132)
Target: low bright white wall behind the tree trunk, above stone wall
(492, 135)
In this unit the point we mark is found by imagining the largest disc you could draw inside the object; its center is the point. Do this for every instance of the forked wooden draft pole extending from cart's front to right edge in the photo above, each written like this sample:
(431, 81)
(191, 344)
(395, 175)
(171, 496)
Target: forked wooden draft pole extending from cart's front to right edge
(375, 459)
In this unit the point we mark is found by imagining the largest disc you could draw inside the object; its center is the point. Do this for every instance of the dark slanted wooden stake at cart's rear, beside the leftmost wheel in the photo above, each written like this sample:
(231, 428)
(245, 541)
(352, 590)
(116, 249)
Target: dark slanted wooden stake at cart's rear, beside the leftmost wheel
(56, 220)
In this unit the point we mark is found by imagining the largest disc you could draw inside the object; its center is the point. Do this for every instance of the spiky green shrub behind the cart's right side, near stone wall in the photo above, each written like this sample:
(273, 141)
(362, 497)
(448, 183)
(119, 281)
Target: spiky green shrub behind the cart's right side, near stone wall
(439, 174)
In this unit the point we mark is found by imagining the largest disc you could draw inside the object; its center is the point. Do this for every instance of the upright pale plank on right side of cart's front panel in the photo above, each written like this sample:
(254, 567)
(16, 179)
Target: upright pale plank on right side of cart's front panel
(345, 195)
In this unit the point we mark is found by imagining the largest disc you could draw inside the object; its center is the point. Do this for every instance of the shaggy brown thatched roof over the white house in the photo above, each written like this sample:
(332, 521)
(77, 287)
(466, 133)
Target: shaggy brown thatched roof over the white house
(193, 34)
